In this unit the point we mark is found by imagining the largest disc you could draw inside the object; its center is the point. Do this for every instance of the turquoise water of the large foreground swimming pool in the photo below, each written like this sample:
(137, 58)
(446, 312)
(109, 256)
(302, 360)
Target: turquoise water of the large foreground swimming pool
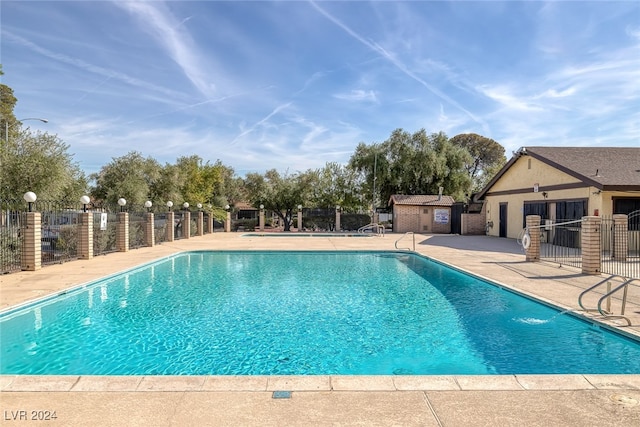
(261, 313)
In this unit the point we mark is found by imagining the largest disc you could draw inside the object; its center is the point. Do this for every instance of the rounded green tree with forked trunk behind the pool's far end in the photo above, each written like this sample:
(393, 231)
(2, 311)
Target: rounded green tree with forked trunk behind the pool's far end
(279, 194)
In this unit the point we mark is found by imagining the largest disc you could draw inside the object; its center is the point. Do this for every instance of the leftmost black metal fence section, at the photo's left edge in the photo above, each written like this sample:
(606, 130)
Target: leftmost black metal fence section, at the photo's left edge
(11, 217)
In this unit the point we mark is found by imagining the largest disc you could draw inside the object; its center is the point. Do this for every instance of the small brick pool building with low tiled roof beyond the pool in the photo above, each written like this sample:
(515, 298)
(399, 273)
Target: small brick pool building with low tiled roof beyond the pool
(421, 213)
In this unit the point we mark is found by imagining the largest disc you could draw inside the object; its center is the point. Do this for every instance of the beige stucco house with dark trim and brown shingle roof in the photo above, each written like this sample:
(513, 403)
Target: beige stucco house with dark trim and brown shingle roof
(560, 184)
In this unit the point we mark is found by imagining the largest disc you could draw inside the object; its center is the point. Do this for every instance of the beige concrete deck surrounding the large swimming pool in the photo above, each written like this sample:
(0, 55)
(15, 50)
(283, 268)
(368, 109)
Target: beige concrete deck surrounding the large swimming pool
(509, 400)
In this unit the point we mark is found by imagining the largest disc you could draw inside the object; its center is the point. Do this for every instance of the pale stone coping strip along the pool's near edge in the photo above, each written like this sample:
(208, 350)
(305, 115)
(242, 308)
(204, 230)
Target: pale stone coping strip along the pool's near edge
(315, 383)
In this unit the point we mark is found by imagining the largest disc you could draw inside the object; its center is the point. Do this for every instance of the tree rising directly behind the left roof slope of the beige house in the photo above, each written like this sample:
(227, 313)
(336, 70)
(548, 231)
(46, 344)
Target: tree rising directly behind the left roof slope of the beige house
(487, 157)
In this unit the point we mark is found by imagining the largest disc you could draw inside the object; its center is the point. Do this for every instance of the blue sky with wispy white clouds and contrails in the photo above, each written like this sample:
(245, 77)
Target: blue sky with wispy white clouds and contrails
(292, 85)
